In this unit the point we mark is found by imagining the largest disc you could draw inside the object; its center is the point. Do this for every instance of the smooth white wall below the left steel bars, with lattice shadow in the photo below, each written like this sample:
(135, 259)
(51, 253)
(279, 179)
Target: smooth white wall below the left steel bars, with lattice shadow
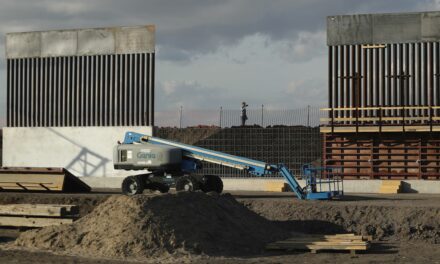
(84, 151)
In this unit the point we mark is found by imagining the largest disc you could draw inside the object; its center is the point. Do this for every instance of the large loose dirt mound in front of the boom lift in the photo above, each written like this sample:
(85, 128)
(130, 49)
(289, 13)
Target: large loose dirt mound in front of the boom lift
(160, 225)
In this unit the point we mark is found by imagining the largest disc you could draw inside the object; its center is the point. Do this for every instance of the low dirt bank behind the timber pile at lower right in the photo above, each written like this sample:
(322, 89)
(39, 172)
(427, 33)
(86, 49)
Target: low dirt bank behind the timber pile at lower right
(393, 222)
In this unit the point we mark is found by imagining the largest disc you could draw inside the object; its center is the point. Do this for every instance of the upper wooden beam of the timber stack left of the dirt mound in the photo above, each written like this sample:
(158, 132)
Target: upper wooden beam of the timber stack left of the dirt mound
(50, 210)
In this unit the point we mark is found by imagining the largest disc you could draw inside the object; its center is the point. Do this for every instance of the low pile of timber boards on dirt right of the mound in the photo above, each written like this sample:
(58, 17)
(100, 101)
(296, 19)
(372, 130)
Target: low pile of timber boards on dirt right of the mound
(314, 243)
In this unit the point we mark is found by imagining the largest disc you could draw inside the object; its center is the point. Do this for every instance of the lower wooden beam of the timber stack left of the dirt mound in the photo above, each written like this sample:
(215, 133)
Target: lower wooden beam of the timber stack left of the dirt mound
(32, 221)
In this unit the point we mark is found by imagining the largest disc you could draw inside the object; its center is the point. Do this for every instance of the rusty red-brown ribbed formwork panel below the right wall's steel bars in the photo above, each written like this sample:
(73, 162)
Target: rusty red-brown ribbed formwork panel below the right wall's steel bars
(388, 156)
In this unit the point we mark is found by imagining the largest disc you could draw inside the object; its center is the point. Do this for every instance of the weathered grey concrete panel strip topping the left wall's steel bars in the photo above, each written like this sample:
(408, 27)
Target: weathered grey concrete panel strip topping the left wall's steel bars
(94, 41)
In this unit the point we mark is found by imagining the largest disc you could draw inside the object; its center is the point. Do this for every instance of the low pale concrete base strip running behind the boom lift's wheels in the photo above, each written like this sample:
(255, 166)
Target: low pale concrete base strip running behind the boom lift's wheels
(241, 184)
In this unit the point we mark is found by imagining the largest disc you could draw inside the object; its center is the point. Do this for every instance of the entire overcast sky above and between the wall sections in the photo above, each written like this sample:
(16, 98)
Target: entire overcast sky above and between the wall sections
(213, 53)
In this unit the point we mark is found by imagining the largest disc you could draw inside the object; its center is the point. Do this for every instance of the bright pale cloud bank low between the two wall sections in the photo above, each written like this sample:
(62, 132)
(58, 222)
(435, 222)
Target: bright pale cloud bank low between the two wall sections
(252, 70)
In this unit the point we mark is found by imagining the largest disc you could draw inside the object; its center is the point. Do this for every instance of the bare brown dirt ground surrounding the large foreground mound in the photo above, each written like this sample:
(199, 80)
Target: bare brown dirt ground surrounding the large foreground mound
(404, 226)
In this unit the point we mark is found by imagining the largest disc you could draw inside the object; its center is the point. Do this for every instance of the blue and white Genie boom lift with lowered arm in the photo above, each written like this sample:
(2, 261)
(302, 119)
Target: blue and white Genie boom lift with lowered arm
(171, 163)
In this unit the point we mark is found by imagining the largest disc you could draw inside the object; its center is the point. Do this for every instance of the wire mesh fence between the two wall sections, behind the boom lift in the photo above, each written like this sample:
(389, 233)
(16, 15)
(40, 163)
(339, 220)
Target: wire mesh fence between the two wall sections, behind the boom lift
(290, 137)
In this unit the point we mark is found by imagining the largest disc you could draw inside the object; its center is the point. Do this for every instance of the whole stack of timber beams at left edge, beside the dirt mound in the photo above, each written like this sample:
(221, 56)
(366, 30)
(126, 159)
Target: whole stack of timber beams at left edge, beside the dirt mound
(37, 215)
